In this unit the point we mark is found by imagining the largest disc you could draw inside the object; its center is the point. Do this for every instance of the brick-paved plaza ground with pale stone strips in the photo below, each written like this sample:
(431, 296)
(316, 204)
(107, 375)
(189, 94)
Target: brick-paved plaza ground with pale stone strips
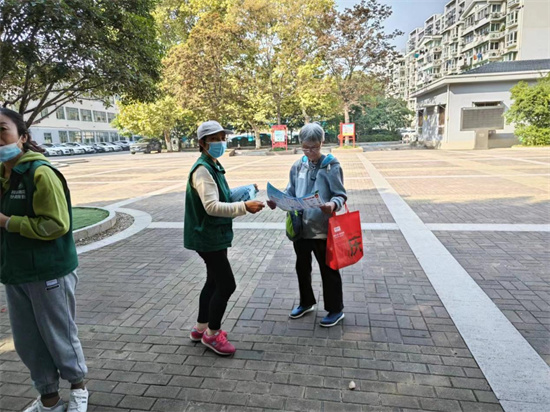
(449, 310)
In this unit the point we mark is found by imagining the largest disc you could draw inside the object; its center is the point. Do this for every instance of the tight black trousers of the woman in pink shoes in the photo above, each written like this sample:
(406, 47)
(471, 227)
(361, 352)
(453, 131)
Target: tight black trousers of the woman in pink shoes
(219, 286)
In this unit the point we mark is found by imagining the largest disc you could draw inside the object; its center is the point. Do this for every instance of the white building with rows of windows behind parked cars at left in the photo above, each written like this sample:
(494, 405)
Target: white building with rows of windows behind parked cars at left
(84, 121)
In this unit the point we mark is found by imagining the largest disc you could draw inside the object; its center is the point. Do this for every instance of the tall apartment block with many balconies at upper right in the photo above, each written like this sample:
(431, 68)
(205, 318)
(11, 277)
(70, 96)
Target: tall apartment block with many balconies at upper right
(469, 34)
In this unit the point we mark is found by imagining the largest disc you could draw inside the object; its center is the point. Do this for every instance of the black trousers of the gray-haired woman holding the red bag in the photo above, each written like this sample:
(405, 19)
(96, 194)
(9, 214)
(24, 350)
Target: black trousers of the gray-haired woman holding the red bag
(332, 281)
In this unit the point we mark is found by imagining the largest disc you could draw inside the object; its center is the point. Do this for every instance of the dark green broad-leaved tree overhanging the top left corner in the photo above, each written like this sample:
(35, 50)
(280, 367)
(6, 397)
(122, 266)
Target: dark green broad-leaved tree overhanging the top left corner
(56, 51)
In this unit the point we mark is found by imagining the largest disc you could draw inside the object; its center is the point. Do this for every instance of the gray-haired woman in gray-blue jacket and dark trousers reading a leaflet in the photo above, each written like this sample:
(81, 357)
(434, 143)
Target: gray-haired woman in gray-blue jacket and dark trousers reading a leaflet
(316, 172)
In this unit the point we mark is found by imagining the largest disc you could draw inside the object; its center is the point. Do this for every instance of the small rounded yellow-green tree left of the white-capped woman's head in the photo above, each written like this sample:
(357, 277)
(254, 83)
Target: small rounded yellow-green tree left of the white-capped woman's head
(151, 119)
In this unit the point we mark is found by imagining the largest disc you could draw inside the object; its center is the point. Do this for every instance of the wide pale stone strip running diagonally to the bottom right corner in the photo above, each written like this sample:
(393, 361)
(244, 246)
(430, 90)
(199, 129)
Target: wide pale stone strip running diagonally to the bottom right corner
(517, 374)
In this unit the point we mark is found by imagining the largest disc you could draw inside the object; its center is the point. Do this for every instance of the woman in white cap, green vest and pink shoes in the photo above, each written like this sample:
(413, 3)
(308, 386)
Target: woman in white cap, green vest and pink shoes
(209, 215)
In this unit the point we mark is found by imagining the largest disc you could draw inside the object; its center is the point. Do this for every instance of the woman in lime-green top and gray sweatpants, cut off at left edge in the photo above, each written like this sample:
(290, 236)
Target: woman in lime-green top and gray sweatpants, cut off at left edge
(38, 264)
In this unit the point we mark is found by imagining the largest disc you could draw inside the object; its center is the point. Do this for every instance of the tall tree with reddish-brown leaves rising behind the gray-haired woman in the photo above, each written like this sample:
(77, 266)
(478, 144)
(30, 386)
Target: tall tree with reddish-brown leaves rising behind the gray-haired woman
(356, 46)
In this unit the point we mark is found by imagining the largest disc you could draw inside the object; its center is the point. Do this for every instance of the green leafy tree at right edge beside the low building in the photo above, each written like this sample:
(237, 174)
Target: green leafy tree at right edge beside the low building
(531, 112)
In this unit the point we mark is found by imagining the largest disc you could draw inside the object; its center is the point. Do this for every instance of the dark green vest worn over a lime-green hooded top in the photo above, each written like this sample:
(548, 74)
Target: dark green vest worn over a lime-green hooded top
(25, 260)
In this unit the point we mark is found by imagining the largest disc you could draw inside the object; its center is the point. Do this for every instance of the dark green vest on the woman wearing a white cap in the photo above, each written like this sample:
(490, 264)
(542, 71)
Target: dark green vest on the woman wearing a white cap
(202, 232)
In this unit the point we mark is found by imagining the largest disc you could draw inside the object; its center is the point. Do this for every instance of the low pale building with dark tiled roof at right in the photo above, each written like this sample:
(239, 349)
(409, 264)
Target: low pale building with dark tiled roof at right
(441, 105)
